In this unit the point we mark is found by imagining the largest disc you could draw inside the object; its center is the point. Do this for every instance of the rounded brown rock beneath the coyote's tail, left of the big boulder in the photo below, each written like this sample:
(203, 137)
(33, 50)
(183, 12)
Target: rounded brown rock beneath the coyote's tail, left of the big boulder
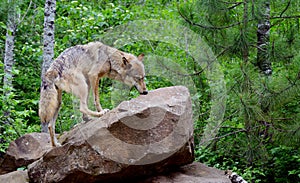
(24, 151)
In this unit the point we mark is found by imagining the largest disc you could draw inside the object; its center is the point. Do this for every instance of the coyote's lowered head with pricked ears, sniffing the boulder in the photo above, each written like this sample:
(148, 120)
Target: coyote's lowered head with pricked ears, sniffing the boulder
(135, 73)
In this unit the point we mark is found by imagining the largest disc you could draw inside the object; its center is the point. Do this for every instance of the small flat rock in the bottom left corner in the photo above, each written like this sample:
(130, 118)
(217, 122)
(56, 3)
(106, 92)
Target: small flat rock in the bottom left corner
(15, 177)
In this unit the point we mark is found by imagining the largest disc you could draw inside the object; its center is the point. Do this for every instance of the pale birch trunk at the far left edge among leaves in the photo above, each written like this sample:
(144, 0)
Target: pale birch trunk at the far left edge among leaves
(9, 61)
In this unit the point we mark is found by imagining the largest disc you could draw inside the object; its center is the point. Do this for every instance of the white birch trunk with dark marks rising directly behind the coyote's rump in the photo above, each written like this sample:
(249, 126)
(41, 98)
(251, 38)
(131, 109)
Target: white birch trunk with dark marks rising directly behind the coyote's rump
(48, 51)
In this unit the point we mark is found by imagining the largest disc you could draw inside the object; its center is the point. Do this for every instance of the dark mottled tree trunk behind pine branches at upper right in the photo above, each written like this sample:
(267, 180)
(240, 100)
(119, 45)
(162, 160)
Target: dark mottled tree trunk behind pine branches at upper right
(263, 39)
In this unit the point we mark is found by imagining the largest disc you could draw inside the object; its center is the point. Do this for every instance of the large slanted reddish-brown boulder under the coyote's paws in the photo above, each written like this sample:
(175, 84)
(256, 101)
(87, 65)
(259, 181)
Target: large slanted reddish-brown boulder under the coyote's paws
(143, 136)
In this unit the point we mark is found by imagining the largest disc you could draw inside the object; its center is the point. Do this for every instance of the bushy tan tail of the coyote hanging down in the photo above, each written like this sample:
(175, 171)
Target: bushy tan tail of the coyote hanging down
(49, 100)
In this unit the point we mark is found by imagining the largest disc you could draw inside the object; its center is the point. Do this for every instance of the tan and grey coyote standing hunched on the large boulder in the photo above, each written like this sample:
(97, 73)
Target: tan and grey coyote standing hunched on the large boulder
(79, 69)
